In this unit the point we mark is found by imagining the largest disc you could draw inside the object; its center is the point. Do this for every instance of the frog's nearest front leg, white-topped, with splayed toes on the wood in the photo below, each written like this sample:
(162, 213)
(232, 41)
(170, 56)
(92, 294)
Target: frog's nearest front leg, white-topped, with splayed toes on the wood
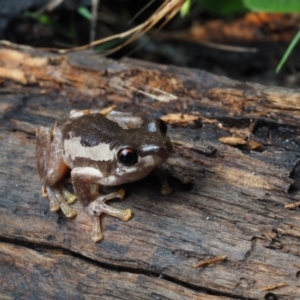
(84, 180)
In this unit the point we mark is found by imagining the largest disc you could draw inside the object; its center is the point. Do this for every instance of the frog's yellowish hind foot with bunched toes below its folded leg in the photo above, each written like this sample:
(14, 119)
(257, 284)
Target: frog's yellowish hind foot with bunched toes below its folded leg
(60, 198)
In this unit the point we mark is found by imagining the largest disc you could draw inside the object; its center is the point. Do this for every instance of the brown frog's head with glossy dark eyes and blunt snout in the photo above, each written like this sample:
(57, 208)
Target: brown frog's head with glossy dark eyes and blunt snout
(145, 148)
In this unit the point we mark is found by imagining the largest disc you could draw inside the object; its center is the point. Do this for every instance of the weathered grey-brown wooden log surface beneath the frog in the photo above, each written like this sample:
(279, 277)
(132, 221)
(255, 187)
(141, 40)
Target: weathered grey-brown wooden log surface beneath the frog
(235, 208)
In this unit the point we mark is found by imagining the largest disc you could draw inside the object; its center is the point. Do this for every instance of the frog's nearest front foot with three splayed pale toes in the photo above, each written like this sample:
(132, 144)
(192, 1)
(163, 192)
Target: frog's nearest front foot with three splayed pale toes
(98, 206)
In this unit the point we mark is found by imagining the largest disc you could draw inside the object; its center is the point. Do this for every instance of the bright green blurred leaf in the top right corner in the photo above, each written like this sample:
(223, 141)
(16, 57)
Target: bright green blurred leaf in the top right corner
(273, 6)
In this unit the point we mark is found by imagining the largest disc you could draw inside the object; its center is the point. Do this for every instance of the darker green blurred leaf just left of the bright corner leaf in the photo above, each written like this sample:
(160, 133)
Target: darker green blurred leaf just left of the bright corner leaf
(224, 7)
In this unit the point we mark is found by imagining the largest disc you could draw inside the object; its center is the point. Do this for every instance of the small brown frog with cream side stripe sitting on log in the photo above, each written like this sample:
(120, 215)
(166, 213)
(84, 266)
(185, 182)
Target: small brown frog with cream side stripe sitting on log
(99, 148)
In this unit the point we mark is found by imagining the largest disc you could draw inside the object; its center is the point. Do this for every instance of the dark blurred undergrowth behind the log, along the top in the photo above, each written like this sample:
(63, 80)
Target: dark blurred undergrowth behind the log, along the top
(242, 39)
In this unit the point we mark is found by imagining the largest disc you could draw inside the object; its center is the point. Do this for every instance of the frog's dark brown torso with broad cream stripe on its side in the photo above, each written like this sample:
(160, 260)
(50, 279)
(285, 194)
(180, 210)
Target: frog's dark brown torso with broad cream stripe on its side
(89, 141)
